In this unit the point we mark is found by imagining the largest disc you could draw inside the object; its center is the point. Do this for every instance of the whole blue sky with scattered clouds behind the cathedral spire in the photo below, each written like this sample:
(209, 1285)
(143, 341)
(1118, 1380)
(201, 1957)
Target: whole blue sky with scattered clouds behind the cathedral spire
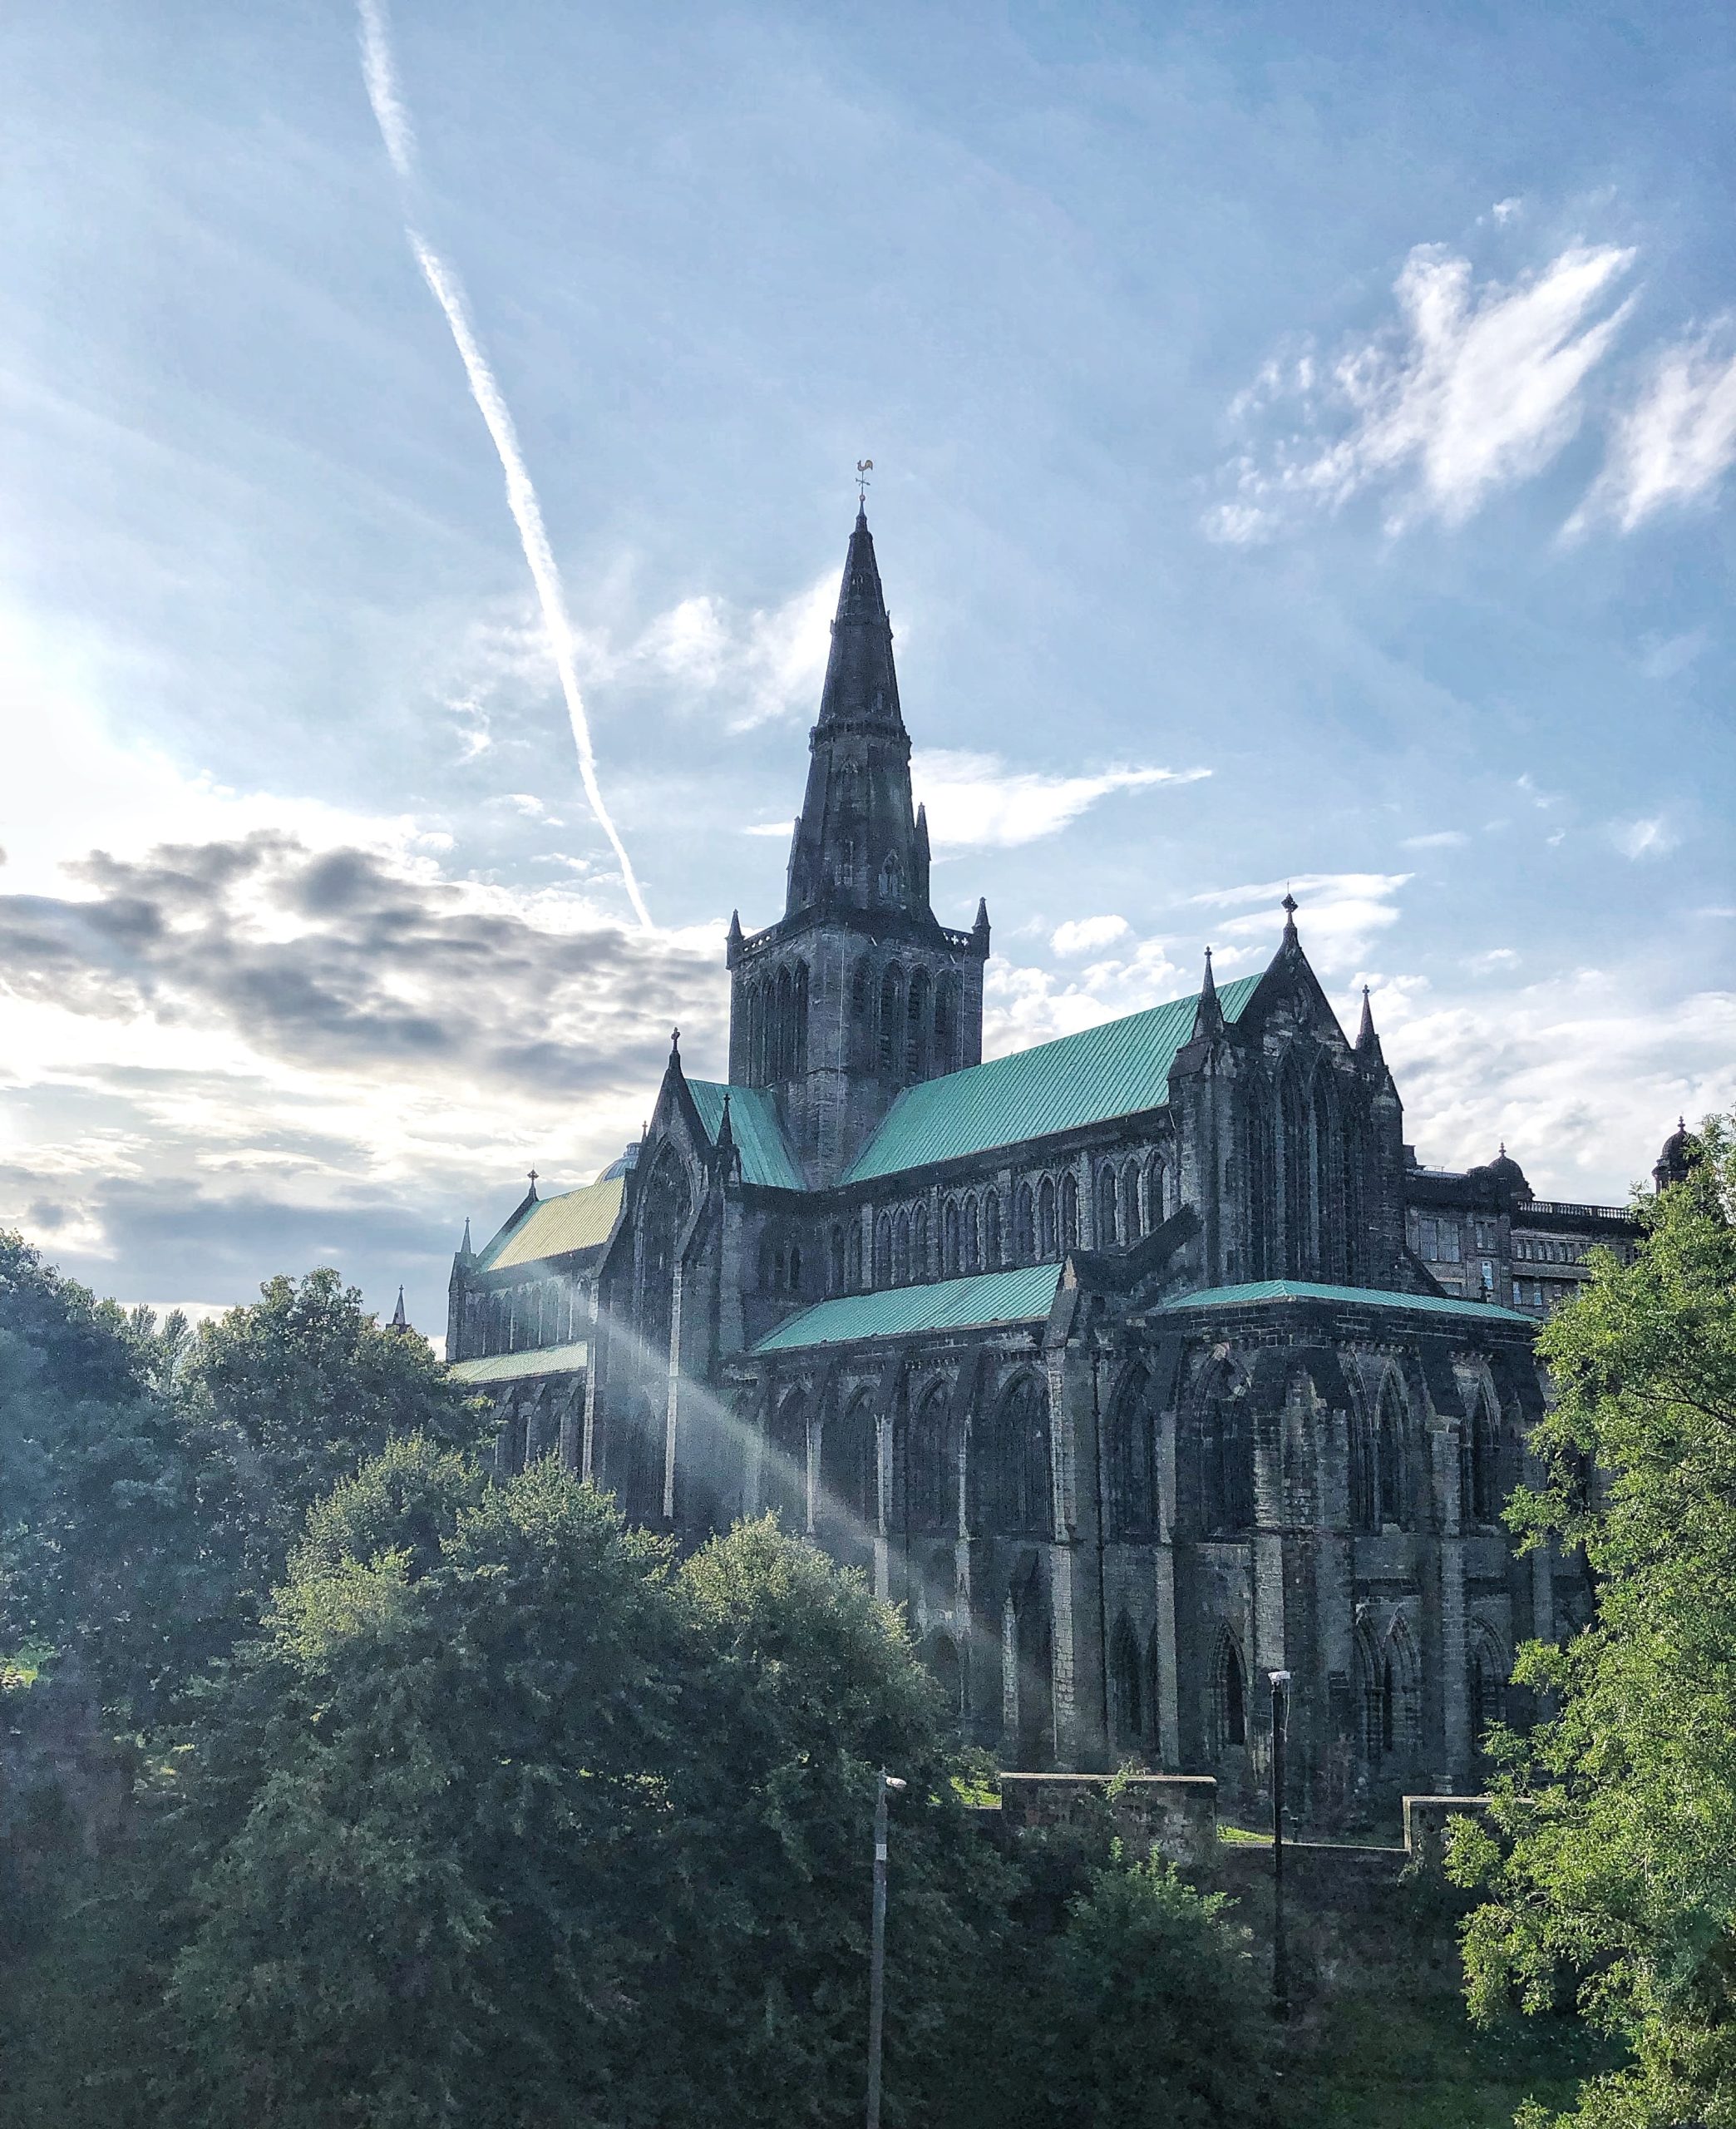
(1303, 455)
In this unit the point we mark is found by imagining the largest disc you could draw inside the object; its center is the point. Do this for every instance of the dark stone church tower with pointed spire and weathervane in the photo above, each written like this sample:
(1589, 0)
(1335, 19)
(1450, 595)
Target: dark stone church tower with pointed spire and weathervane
(856, 991)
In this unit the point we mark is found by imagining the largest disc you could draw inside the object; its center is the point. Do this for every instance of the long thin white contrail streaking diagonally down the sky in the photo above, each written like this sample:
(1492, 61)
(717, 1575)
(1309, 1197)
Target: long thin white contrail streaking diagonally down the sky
(448, 291)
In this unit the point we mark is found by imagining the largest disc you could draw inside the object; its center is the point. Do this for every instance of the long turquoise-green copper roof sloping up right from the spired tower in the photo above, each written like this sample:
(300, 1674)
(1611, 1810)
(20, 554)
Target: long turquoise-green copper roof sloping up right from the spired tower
(1116, 1070)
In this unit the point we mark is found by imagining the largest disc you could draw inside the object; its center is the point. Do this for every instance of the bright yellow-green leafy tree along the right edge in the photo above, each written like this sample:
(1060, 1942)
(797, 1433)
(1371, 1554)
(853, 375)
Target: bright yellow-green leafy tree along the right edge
(1612, 1866)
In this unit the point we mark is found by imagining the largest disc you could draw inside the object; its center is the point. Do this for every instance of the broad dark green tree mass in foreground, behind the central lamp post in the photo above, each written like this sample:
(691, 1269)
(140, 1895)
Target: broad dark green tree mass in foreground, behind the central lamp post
(507, 1819)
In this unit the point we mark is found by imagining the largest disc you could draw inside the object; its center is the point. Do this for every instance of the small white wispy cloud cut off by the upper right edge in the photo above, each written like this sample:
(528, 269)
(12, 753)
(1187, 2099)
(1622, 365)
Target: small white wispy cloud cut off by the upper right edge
(1677, 442)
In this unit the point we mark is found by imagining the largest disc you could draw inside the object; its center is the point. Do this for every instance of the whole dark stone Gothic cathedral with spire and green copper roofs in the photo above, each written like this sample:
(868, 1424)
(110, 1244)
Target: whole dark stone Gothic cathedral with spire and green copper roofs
(1137, 1366)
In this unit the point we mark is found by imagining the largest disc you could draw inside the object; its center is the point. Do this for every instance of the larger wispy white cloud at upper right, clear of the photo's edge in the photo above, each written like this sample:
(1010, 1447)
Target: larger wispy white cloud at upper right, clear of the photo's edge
(1473, 389)
